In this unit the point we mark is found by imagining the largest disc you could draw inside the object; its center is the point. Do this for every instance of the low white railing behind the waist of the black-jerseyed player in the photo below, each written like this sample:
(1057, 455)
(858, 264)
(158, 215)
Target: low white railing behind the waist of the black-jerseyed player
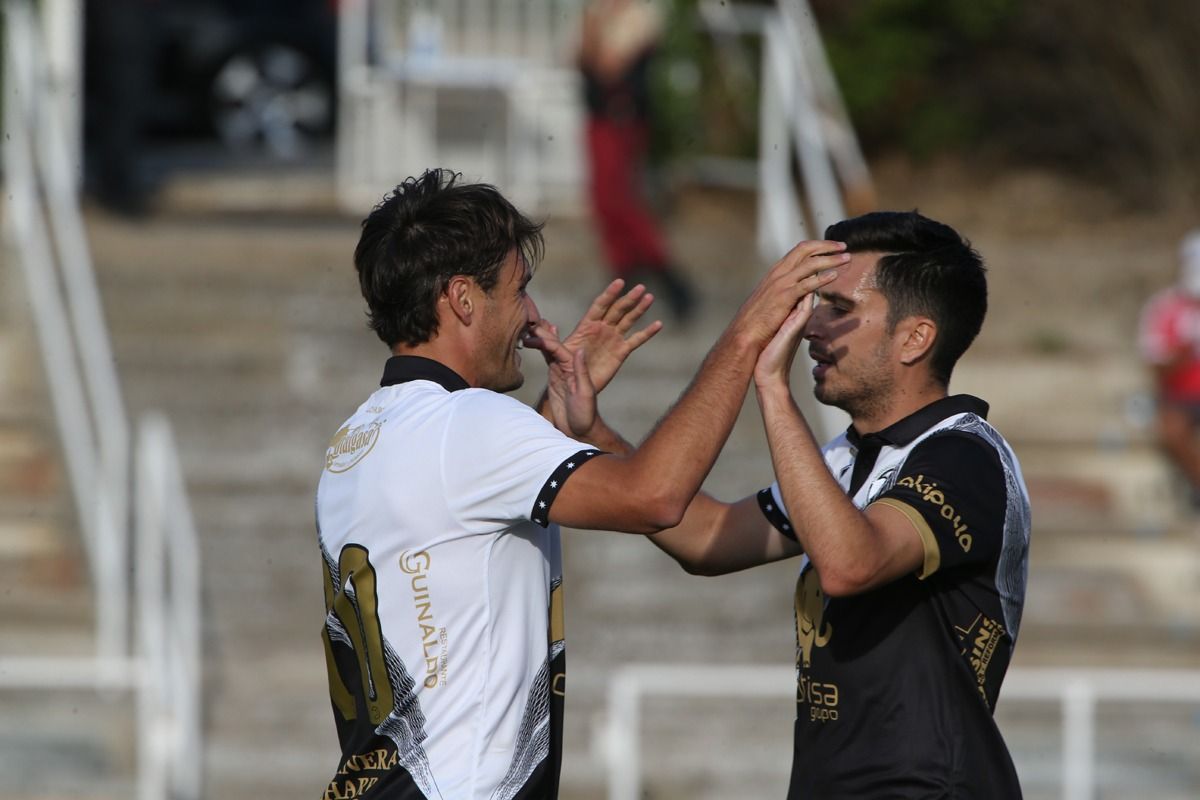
(1078, 691)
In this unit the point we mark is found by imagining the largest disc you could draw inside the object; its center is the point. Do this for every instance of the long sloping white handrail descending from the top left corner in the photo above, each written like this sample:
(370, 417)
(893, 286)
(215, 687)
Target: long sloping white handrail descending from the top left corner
(73, 335)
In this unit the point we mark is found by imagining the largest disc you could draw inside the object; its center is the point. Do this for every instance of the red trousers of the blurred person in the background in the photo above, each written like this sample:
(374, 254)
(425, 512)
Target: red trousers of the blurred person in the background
(629, 234)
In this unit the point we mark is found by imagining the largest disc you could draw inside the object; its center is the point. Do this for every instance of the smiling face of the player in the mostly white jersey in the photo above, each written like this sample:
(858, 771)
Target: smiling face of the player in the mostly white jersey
(508, 317)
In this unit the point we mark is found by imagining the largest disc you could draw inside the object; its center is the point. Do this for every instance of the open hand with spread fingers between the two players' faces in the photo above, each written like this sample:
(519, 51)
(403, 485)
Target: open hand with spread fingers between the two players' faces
(607, 333)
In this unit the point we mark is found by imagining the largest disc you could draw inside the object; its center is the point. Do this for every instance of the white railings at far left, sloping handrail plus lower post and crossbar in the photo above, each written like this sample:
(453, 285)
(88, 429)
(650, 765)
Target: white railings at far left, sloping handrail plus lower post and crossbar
(46, 230)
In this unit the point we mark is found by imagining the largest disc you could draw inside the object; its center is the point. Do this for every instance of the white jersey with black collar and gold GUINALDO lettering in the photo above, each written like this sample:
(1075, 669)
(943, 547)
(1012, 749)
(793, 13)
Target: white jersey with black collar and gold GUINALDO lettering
(443, 581)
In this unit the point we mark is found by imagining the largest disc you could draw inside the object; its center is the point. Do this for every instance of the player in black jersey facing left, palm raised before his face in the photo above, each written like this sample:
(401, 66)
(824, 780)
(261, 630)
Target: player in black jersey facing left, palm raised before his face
(914, 526)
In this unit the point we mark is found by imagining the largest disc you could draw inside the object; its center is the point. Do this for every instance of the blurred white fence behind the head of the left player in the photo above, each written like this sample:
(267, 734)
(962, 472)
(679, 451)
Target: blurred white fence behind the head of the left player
(410, 69)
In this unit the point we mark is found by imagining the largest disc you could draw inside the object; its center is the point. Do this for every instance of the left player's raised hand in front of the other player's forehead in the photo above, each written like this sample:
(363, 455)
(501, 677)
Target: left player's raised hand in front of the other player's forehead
(803, 270)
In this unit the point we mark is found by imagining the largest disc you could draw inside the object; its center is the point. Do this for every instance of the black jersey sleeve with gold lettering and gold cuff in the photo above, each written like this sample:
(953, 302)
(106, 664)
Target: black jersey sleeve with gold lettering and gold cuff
(952, 490)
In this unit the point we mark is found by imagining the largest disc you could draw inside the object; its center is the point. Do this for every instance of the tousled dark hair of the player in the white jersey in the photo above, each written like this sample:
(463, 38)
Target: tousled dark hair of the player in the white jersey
(424, 233)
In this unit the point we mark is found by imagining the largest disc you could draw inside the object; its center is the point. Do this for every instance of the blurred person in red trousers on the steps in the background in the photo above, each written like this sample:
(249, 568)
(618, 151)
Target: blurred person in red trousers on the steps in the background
(617, 46)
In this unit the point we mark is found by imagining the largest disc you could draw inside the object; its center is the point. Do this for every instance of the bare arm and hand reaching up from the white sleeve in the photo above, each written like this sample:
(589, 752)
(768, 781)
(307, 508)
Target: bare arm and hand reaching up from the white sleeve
(651, 489)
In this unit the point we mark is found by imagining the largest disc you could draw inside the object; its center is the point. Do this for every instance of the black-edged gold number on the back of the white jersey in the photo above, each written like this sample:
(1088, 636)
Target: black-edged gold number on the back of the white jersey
(357, 606)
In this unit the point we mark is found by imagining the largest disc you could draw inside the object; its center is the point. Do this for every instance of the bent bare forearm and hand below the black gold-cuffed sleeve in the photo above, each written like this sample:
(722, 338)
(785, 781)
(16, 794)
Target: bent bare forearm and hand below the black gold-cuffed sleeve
(851, 551)
